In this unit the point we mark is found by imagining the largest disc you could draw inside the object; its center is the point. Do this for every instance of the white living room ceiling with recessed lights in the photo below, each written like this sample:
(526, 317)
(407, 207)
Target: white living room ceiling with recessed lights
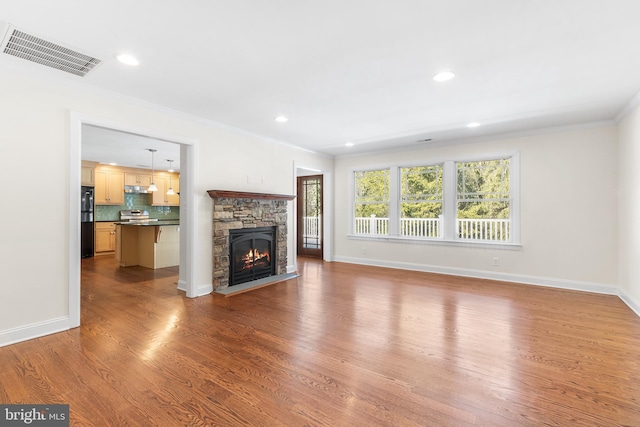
(359, 70)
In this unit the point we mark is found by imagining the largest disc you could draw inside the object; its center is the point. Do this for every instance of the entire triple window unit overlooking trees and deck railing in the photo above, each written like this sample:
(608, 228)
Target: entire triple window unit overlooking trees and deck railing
(471, 201)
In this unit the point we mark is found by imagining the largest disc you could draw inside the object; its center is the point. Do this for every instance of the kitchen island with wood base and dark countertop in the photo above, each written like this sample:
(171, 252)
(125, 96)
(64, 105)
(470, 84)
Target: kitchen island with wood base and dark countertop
(151, 244)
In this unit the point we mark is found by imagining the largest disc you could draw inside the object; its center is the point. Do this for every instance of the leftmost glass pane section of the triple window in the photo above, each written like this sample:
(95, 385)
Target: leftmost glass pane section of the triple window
(372, 202)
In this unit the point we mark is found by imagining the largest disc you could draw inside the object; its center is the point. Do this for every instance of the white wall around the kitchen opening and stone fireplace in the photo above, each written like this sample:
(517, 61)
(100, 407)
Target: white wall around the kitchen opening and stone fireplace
(34, 150)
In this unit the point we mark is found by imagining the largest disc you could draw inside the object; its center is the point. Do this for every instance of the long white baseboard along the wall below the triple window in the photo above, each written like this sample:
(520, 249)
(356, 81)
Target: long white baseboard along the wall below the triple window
(492, 275)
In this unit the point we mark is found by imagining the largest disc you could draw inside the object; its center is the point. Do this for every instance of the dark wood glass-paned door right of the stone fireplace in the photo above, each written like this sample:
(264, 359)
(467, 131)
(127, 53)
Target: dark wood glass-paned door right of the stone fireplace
(310, 213)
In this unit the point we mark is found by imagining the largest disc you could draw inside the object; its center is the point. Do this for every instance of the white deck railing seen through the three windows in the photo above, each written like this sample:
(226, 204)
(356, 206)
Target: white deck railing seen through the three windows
(468, 229)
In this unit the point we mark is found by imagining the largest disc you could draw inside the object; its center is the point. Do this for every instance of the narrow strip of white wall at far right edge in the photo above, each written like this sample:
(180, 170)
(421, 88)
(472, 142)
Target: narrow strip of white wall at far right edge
(629, 215)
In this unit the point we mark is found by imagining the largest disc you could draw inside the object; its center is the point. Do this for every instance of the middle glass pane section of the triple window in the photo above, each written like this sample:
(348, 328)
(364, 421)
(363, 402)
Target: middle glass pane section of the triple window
(421, 201)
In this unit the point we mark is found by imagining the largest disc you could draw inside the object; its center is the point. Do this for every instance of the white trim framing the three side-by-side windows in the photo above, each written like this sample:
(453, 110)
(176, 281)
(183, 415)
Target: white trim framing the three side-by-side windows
(449, 203)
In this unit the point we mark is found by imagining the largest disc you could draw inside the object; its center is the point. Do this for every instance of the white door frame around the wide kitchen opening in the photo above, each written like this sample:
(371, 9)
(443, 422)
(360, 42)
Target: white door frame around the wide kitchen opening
(188, 205)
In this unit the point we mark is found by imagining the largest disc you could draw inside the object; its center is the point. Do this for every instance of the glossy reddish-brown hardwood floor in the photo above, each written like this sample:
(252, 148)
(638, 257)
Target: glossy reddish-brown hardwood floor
(340, 345)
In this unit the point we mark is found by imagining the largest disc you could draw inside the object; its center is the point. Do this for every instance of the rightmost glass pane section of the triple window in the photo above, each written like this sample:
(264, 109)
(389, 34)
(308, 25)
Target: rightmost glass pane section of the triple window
(483, 202)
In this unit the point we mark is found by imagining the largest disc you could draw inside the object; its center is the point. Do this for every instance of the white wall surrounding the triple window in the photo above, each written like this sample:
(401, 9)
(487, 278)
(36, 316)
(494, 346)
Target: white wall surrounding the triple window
(568, 211)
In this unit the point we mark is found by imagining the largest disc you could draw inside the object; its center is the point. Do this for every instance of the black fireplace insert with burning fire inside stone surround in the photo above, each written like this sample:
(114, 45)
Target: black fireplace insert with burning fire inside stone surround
(252, 254)
